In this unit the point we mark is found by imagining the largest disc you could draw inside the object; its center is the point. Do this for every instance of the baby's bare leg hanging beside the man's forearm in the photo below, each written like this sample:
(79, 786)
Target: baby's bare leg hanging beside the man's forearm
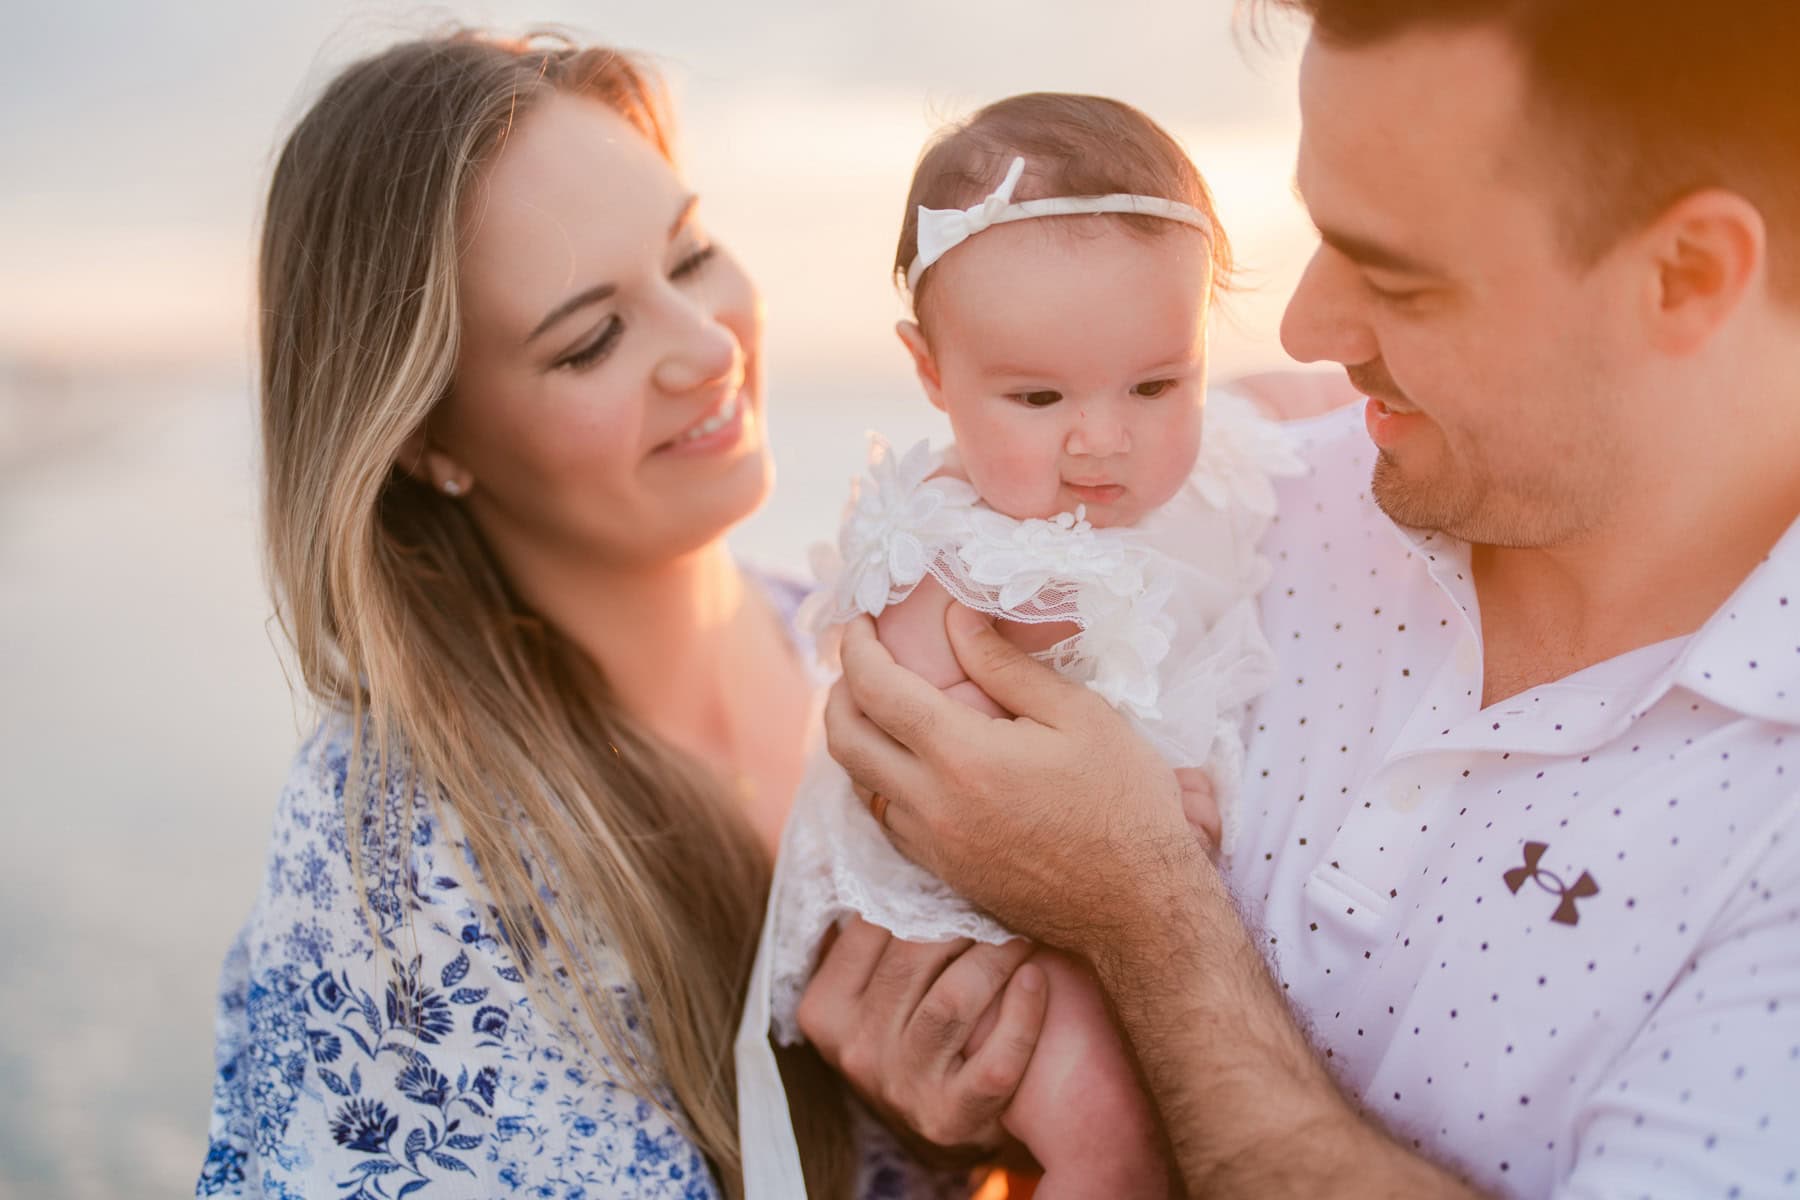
(1081, 1109)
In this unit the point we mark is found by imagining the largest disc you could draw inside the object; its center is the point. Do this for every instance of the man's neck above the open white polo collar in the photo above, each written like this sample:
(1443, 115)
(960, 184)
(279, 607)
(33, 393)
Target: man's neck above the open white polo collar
(1662, 573)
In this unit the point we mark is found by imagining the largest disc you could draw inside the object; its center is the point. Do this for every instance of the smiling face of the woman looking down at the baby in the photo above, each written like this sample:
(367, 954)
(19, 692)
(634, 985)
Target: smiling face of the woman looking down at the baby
(607, 402)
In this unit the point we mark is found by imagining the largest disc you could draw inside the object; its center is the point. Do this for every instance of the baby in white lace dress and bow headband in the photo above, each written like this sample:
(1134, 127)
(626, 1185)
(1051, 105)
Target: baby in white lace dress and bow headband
(1061, 255)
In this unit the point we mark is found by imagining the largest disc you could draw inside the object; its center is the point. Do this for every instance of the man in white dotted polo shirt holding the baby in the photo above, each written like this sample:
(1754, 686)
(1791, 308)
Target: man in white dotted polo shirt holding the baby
(1520, 872)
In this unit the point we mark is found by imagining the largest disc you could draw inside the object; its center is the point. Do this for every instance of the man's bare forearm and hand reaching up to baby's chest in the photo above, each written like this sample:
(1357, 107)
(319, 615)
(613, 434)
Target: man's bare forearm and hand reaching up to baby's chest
(1068, 827)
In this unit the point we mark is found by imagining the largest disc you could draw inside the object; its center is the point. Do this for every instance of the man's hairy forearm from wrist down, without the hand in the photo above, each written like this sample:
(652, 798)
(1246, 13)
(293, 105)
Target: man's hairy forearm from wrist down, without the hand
(1246, 1102)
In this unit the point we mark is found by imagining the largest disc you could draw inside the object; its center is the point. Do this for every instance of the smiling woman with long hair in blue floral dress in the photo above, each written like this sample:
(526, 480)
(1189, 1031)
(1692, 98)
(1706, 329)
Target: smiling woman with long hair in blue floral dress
(512, 404)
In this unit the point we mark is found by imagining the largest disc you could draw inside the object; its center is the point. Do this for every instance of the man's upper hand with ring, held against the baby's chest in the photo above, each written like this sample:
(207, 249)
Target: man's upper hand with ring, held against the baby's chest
(1063, 823)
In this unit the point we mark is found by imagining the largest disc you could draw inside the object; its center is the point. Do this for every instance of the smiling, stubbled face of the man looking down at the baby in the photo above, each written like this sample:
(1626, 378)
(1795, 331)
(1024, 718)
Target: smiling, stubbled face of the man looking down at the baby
(1498, 366)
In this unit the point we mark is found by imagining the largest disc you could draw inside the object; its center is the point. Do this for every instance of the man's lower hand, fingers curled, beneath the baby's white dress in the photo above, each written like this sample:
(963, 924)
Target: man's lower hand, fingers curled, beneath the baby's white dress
(933, 1037)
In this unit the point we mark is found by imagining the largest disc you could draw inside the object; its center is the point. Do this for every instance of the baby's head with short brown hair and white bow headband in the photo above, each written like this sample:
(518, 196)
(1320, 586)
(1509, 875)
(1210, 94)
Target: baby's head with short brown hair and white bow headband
(1068, 352)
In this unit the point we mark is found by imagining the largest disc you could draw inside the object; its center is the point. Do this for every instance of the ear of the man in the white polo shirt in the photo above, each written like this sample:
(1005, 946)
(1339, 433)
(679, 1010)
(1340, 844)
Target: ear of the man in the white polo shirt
(1709, 253)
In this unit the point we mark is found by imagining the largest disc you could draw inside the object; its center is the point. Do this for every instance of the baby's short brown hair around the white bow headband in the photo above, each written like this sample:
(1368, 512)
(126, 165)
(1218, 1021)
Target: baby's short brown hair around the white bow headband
(1074, 147)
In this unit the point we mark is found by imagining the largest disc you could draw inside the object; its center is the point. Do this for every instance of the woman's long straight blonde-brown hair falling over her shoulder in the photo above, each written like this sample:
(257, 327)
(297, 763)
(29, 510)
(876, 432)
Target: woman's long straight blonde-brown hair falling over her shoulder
(402, 618)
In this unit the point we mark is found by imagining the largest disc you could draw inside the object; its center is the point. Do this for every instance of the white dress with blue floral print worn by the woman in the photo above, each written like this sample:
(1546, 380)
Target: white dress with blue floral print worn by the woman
(415, 1062)
